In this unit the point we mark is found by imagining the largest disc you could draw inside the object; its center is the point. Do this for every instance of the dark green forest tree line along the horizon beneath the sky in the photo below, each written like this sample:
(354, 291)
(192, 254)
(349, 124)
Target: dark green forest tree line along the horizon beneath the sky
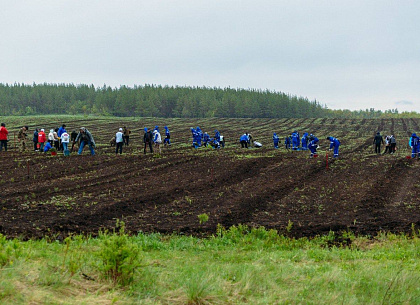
(165, 101)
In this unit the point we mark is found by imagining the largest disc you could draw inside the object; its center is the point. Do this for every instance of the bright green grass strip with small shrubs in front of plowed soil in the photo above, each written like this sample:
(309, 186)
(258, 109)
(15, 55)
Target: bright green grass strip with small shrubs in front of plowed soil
(237, 266)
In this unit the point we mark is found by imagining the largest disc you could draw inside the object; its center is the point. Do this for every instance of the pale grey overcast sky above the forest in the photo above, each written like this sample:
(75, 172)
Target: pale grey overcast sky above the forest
(346, 54)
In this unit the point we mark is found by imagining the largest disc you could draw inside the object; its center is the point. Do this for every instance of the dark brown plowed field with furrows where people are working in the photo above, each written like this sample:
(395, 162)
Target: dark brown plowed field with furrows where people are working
(360, 191)
